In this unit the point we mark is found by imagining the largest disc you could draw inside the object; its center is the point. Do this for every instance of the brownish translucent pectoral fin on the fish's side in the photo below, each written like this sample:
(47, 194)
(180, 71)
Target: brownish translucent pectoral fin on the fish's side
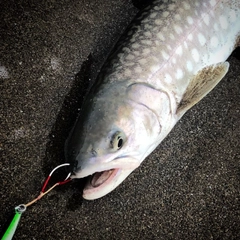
(201, 85)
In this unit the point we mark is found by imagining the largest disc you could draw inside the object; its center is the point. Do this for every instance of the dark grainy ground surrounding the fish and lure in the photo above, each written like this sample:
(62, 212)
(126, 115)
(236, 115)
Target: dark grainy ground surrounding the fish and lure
(189, 188)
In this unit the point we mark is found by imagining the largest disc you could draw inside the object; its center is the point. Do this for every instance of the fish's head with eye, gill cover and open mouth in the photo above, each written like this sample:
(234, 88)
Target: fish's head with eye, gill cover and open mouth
(110, 139)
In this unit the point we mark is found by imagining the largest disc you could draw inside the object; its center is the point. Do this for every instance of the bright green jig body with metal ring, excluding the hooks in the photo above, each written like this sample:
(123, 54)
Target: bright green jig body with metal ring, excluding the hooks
(13, 225)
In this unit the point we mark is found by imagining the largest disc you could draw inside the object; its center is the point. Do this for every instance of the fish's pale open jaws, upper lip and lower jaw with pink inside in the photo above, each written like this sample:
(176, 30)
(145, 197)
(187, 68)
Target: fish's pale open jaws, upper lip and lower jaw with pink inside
(106, 177)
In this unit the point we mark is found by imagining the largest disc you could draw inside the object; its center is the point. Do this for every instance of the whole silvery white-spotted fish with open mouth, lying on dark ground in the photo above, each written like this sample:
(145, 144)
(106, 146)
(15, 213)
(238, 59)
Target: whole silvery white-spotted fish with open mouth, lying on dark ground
(171, 56)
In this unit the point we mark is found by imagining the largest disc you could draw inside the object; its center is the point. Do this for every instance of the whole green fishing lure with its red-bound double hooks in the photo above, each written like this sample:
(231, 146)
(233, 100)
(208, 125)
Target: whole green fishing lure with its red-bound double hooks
(8, 235)
